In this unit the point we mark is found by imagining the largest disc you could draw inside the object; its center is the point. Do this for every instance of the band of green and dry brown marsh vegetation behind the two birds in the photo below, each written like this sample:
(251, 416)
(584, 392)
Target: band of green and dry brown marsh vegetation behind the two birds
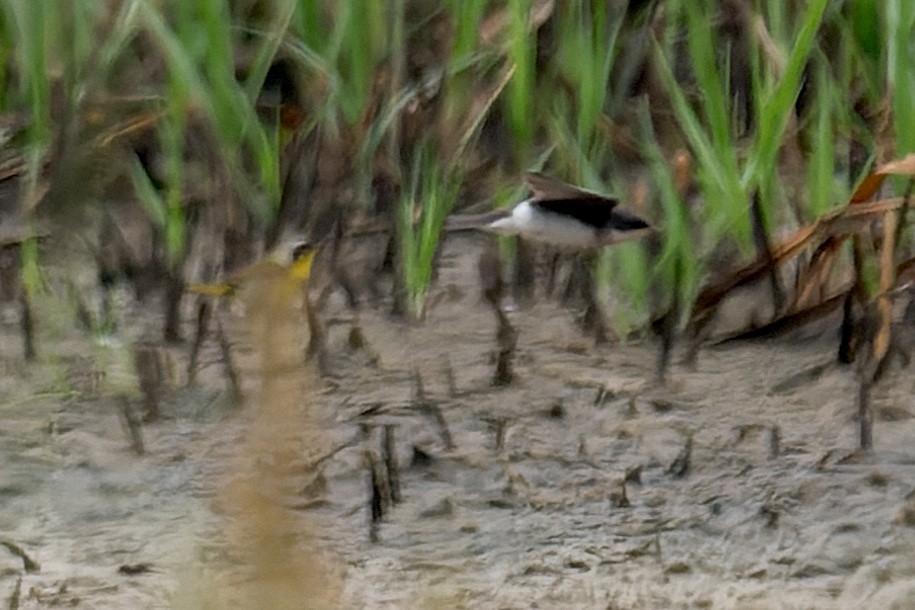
(794, 100)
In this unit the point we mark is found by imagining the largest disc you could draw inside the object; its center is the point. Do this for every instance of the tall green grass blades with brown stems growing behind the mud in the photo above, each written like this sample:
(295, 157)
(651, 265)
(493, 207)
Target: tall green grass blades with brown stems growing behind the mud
(559, 110)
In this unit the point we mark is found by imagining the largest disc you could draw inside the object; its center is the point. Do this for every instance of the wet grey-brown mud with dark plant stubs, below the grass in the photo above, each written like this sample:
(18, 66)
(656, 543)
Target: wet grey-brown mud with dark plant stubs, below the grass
(571, 488)
